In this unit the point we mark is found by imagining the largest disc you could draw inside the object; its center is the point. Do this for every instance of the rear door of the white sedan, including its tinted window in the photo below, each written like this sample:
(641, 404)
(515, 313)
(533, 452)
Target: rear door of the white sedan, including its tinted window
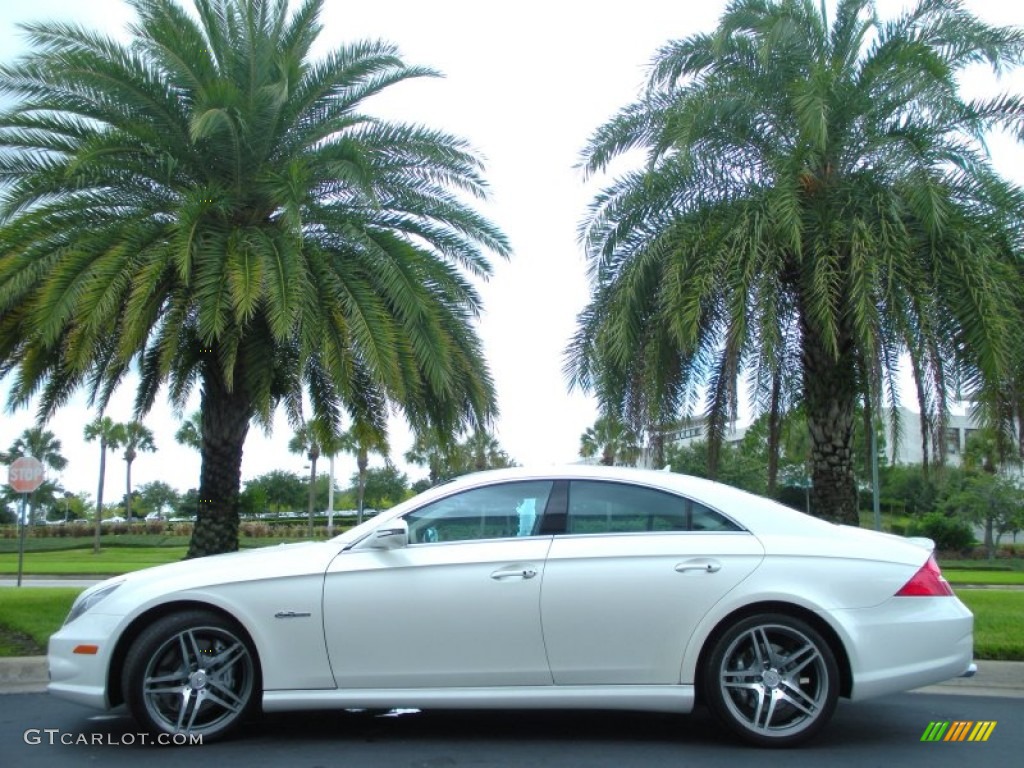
(629, 580)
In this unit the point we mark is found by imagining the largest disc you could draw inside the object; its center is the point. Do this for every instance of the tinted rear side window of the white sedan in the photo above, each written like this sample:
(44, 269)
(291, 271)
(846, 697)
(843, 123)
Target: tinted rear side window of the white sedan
(617, 508)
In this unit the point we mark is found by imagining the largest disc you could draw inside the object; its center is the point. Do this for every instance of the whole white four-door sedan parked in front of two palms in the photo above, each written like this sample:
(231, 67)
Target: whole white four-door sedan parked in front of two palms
(579, 587)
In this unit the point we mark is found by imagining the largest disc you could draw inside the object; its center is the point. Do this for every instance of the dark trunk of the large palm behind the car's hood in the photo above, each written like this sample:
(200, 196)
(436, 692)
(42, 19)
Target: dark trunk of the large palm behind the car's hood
(226, 423)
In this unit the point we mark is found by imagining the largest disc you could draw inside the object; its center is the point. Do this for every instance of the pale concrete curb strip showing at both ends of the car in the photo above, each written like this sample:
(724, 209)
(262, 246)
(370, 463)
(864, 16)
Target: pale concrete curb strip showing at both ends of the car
(28, 675)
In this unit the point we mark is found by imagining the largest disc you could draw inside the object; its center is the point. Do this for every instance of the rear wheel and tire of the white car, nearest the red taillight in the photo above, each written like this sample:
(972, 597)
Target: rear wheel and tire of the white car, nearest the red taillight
(773, 680)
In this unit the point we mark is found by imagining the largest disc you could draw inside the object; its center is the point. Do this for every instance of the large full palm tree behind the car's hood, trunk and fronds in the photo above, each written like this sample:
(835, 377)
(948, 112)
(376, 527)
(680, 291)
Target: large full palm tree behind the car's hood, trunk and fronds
(207, 202)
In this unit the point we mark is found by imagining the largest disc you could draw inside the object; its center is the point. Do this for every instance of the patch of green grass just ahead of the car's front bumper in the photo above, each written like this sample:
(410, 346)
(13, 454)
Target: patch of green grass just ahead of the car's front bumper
(30, 616)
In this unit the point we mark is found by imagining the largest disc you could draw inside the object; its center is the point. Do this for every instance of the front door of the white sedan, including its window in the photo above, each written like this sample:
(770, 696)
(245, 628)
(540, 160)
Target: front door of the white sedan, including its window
(458, 607)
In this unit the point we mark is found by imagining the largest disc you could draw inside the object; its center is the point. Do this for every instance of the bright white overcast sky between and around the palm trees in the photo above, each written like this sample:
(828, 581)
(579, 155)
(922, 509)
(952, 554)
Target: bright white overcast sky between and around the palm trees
(527, 83)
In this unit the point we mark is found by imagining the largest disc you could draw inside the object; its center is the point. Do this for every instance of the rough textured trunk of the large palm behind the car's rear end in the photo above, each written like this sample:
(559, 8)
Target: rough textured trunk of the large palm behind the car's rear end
(830, 397)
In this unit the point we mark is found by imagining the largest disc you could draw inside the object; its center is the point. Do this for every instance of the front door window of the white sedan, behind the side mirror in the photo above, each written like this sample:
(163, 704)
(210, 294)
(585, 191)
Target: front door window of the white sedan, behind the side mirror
(504, 511)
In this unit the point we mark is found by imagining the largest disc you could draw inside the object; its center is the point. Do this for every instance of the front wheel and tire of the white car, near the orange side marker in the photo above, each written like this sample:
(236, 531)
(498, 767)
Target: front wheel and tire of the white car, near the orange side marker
(192, 673)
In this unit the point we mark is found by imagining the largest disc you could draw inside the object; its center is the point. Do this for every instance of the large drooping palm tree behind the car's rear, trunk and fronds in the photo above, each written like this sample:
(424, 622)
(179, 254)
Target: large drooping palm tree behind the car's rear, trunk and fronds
(818, 202)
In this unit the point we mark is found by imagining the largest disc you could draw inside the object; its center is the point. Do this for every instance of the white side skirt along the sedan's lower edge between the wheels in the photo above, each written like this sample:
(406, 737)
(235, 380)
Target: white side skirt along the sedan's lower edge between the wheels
(639, 698)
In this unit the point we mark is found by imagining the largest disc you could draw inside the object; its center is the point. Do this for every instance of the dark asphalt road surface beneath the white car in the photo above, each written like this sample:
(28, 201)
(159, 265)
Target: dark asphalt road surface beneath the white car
(885, 733)
